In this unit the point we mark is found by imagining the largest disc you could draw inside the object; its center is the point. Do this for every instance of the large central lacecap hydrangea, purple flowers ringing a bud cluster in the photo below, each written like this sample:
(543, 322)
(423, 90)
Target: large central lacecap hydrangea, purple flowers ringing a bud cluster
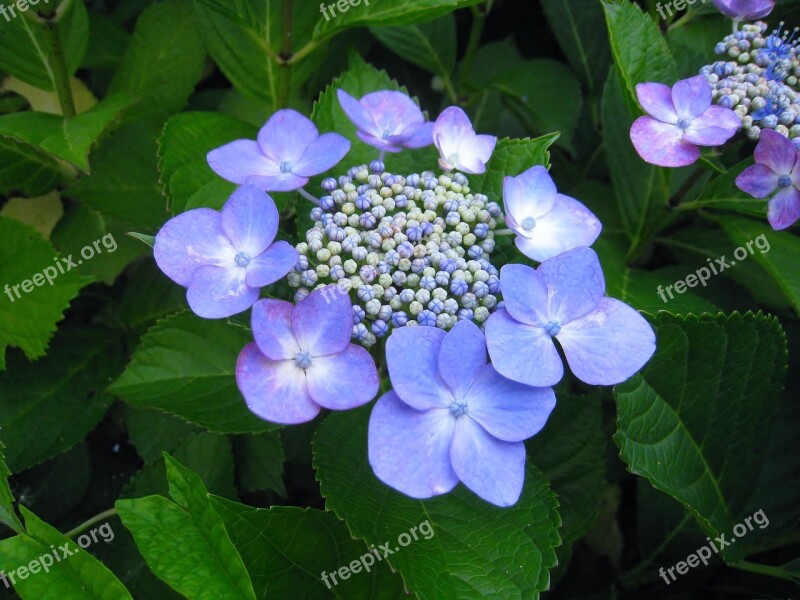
(403, 263)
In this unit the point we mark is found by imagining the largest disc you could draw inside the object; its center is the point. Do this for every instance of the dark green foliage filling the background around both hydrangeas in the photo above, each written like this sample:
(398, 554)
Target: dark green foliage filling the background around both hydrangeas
(111, 393)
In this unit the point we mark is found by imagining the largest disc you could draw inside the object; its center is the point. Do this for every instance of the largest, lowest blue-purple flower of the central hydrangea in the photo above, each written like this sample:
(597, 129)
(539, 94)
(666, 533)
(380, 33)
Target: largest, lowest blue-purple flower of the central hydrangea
(451, 417)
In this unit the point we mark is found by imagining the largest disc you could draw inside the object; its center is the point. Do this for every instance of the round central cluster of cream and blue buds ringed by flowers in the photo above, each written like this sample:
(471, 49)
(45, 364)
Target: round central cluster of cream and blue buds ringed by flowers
(408, 250)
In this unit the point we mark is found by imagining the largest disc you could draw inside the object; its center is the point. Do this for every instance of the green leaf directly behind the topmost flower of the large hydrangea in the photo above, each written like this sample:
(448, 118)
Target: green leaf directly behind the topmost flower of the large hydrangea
(360, 79)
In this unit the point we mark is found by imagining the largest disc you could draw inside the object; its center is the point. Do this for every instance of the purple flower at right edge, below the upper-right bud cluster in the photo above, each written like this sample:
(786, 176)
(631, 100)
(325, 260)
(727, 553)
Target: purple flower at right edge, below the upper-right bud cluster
(777, 167)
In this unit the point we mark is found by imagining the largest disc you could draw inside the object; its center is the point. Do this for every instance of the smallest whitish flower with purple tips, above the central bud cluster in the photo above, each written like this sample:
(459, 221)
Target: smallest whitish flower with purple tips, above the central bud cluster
(459, 146)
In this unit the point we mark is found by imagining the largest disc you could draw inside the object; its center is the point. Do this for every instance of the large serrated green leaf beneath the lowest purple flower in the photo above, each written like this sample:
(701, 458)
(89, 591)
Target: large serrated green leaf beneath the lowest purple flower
(478, 550)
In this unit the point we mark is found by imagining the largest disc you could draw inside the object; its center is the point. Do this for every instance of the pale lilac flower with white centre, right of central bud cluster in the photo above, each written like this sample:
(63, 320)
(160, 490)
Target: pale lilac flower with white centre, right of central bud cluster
(546, 223)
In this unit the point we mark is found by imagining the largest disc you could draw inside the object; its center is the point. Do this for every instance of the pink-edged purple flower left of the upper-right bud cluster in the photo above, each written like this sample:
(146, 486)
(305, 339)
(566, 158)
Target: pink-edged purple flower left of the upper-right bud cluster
(681, 119)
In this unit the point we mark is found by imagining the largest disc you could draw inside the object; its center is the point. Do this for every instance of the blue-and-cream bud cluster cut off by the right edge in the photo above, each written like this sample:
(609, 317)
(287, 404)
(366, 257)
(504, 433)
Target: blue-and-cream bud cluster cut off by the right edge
(759, 79)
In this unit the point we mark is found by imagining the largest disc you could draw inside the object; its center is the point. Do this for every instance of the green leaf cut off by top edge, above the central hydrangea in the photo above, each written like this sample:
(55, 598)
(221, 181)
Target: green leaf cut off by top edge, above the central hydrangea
(374, 13)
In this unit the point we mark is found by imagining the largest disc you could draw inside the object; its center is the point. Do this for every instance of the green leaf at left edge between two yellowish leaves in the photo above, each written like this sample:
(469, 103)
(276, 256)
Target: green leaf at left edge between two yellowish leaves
(65, 138)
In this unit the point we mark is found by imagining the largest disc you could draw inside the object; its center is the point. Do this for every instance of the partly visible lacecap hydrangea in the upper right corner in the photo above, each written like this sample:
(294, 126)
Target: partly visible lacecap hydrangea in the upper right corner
(753, 88)
